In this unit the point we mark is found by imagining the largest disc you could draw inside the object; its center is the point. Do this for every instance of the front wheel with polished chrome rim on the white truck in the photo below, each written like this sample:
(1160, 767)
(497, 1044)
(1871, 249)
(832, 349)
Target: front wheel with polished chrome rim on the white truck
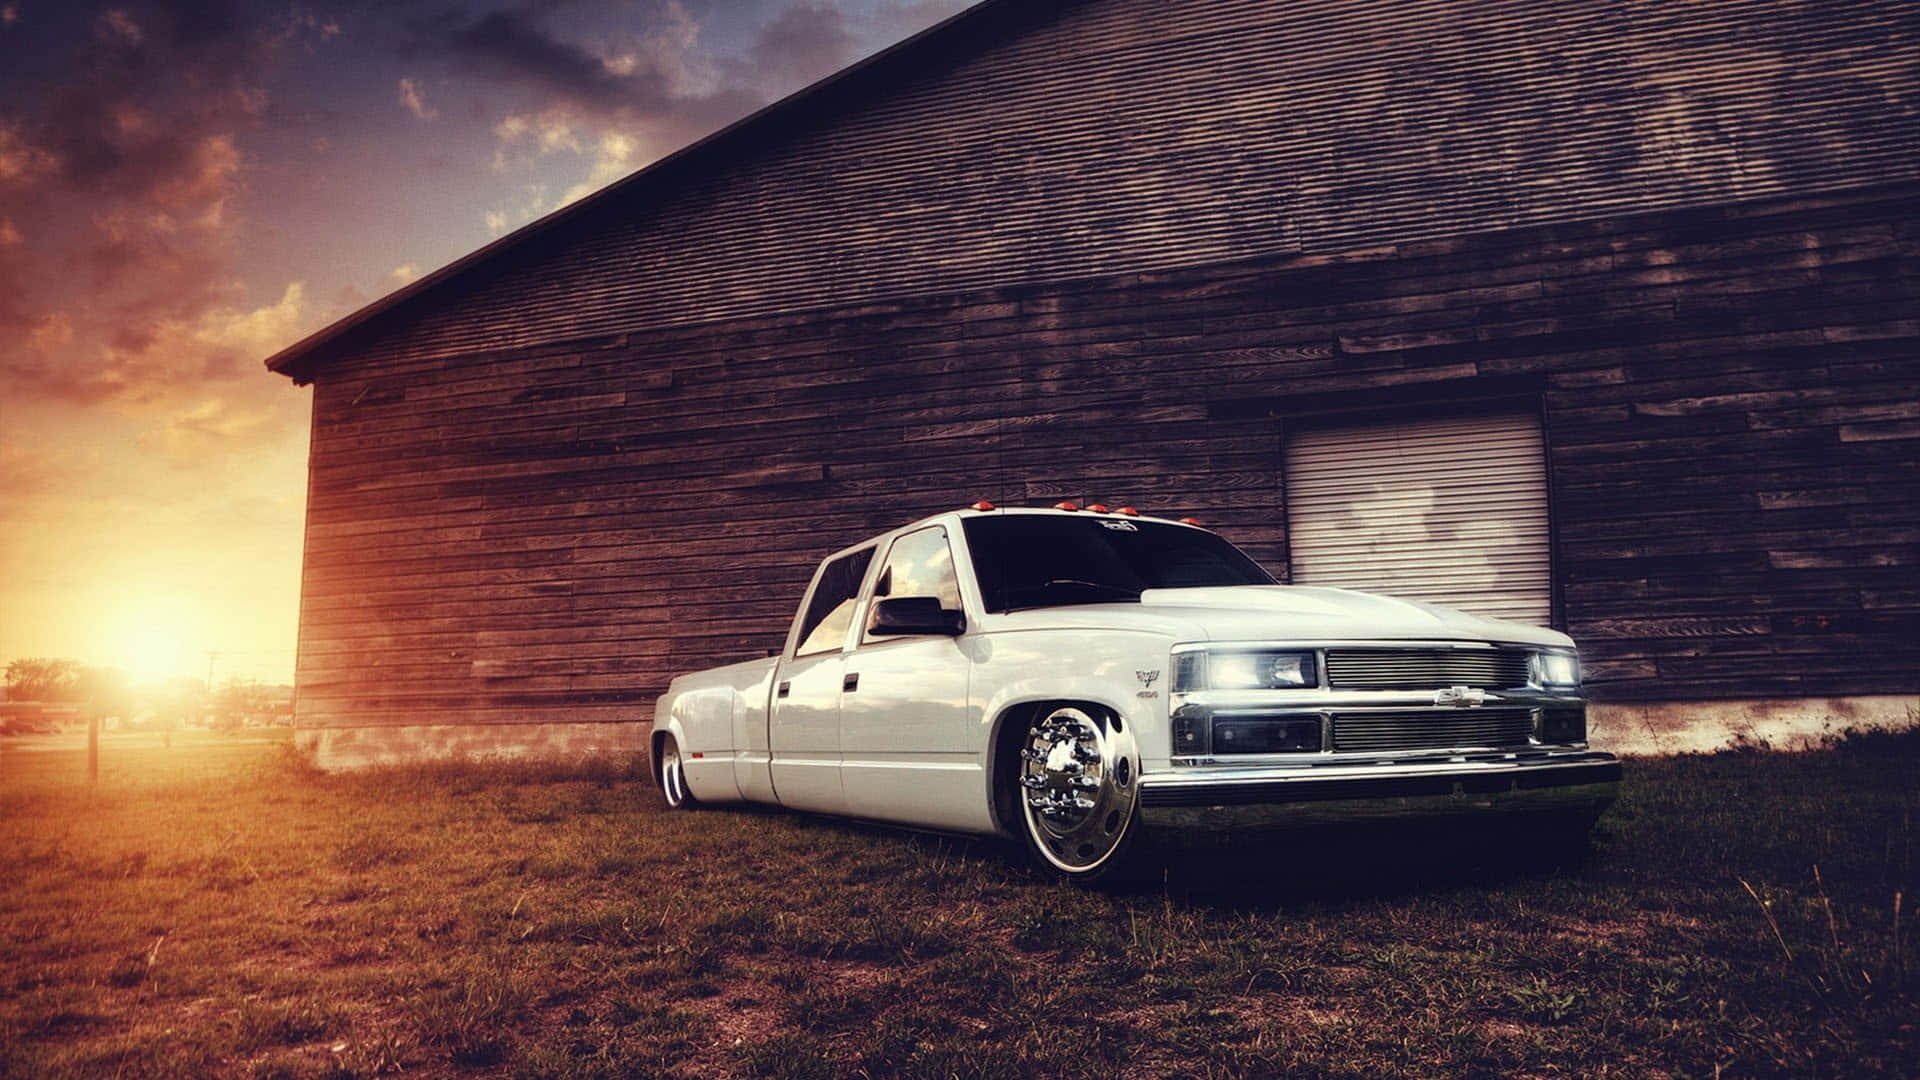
(1078, 787)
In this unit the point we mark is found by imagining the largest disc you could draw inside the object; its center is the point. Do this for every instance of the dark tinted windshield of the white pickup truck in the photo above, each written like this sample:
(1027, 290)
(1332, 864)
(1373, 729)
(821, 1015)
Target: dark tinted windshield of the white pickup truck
(1044, 560)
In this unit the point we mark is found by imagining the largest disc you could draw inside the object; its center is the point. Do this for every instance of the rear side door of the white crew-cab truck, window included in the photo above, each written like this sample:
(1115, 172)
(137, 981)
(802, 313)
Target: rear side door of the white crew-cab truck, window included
(804, 722)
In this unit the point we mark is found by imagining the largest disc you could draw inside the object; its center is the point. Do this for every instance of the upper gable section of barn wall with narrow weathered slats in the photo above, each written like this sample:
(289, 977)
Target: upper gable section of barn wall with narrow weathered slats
(1059, 141)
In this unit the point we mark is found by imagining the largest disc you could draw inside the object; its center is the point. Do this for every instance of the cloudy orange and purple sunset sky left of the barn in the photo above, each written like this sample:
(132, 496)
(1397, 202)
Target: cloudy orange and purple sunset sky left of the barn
(189, 187)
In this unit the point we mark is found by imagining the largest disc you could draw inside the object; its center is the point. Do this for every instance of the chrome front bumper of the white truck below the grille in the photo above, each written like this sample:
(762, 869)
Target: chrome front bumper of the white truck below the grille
(1266, 798)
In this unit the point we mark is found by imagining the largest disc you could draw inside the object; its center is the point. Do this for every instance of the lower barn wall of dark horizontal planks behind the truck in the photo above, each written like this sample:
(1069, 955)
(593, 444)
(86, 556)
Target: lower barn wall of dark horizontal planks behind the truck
(546, 535)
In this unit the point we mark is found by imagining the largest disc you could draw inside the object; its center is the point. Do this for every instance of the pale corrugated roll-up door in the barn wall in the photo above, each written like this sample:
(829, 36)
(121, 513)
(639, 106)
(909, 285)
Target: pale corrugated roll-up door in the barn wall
(1451, 512)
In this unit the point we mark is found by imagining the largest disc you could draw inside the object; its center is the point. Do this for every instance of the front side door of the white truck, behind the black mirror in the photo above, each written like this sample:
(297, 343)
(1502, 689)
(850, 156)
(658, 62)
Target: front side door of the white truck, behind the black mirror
(907, 739)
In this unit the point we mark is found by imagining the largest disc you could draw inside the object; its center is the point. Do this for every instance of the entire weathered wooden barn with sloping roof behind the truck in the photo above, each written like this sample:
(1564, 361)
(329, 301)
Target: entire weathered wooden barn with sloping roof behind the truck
(1596, 314)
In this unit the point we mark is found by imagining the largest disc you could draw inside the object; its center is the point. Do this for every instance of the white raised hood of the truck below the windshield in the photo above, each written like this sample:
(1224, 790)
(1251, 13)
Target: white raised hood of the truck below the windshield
(1289, 612)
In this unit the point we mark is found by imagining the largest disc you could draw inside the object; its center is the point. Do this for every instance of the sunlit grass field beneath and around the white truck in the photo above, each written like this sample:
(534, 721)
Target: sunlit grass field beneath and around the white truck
(220, 910)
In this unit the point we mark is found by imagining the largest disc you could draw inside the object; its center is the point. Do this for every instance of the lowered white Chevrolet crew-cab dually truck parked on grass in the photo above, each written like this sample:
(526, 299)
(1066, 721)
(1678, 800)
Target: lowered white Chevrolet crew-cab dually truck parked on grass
(1076, 677)
